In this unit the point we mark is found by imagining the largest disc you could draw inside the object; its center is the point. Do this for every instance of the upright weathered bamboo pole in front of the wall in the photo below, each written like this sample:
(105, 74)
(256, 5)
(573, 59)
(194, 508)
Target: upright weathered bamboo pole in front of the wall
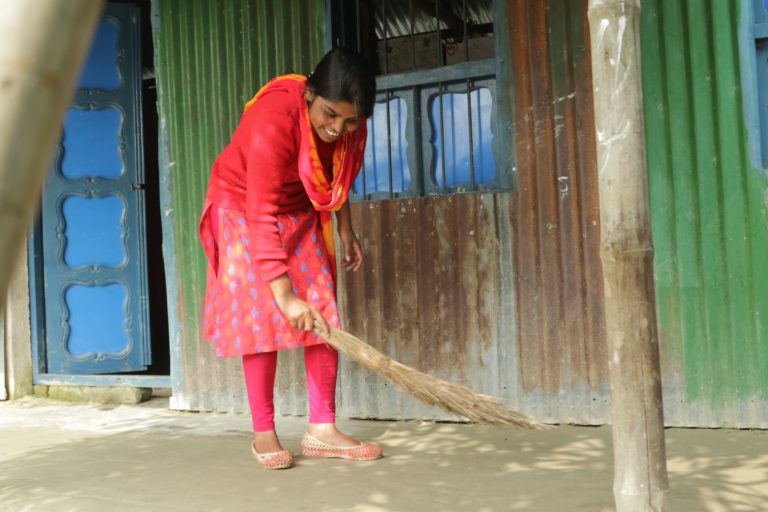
(640, 473)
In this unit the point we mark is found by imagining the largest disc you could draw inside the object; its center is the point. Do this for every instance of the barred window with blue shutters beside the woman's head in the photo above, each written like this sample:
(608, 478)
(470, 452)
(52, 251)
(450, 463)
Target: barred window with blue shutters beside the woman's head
(434, 120)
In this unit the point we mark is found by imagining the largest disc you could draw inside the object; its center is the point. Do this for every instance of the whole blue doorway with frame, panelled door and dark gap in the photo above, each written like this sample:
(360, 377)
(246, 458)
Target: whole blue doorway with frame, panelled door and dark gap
(97, 280)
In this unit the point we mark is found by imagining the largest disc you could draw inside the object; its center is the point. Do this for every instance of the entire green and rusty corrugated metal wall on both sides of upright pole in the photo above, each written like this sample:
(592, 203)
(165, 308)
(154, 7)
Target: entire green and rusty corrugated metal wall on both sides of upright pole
(503, 292)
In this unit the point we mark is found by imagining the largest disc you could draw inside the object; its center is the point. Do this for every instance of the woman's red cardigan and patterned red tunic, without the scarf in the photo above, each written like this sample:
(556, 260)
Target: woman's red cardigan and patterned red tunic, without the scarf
(258, 224)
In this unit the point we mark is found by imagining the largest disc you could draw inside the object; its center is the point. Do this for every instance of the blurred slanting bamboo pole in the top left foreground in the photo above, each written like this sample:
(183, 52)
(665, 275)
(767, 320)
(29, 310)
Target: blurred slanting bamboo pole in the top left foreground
(42, 46)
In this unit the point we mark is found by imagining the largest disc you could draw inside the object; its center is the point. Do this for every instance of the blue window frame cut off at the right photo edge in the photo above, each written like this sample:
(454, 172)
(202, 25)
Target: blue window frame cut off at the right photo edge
(754, 68)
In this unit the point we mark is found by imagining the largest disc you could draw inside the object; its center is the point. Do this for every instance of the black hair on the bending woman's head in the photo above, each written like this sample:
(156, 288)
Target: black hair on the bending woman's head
(345, 75)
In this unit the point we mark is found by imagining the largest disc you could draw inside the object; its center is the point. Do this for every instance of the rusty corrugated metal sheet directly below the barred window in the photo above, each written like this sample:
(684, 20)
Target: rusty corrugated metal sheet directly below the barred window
(429, 295)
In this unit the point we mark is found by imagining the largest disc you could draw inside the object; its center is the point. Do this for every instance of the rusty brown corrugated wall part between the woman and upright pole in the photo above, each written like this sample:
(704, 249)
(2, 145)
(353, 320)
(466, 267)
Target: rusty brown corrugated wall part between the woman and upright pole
(502, 292)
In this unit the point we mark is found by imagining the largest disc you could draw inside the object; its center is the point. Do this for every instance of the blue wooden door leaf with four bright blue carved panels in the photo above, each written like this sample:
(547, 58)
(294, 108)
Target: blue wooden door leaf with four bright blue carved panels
(93, 229)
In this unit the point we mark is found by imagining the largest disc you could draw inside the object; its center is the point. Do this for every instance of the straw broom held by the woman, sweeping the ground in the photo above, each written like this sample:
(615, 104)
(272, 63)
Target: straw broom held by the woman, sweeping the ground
(454, 398)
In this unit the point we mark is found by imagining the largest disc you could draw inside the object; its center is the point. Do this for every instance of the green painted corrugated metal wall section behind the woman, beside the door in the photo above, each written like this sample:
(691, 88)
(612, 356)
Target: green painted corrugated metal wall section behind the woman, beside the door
(210, 58)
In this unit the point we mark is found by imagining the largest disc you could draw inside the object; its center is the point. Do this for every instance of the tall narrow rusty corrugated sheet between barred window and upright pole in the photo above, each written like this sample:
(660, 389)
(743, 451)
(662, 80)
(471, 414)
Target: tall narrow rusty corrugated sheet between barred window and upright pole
(559, 279)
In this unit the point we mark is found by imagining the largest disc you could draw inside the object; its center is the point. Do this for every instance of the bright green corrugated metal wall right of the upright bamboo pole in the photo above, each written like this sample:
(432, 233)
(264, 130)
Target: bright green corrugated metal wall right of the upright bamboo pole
(709, 218)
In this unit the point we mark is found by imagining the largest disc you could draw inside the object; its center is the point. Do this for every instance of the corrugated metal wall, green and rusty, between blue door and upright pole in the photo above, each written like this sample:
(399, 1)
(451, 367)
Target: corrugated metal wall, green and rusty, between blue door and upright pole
(438, 291)
